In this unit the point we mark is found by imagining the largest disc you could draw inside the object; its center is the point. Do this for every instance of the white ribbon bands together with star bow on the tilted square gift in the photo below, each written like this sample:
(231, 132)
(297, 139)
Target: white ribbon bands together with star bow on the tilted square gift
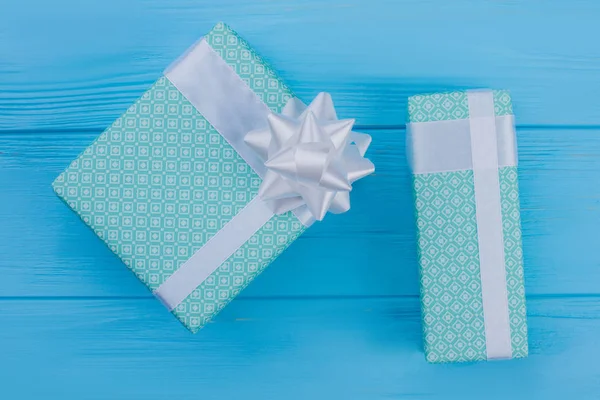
(327, 157)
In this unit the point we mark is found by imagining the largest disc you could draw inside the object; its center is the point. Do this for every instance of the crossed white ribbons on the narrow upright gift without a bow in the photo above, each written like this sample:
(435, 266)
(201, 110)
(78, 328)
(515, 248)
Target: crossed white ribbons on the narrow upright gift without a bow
(482, 143)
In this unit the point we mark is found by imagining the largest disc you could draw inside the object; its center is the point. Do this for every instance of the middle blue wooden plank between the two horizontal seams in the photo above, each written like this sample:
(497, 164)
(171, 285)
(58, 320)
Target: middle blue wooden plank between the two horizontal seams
(47, 251)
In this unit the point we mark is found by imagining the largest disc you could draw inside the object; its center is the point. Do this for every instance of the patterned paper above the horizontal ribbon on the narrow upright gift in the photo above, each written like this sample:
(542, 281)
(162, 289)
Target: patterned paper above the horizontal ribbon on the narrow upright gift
(451, 106)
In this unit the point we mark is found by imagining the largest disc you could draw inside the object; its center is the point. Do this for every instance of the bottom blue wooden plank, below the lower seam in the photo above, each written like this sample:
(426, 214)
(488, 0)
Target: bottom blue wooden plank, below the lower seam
(292, 349)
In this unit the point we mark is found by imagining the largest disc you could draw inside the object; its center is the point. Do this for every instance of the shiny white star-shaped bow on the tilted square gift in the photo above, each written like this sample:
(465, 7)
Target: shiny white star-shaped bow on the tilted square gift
(312, 158)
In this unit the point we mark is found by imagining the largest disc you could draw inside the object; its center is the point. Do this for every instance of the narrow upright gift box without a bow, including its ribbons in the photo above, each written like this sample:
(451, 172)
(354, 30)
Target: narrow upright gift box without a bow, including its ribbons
(462, 151)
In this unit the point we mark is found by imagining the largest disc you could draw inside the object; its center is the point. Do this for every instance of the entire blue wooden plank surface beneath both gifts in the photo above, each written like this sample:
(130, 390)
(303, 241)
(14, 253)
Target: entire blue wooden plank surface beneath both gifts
(337, 315)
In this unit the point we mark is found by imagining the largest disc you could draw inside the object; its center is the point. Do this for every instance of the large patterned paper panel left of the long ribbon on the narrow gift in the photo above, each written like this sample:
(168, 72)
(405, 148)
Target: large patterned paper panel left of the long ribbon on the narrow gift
(450, 278)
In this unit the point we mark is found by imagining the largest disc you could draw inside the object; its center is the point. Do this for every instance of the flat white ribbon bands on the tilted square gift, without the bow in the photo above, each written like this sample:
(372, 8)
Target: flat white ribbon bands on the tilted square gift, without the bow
(233, 109)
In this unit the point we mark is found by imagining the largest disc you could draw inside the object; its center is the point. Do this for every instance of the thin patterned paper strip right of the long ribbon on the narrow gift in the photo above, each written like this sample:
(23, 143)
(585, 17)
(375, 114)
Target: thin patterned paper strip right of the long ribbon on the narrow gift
(513, 255)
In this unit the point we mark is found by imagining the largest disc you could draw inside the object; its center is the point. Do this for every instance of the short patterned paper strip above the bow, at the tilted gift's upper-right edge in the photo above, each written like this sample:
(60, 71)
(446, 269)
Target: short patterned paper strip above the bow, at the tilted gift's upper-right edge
(249, 66)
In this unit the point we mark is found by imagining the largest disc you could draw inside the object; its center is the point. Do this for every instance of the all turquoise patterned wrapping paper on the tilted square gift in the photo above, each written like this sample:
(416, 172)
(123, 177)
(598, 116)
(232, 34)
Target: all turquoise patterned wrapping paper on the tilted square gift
(161, 181)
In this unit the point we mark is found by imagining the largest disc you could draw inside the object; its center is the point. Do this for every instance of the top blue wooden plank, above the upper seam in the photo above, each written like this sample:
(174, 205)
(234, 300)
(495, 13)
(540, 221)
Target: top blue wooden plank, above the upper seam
(80, 64)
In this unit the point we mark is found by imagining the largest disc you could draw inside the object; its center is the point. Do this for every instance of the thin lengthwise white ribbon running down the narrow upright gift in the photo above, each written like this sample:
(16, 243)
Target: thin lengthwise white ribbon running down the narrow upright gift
(484, 153)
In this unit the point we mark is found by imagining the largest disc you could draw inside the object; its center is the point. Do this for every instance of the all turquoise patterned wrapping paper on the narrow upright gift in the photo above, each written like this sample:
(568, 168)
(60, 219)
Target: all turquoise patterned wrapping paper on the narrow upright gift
(451, 297)
